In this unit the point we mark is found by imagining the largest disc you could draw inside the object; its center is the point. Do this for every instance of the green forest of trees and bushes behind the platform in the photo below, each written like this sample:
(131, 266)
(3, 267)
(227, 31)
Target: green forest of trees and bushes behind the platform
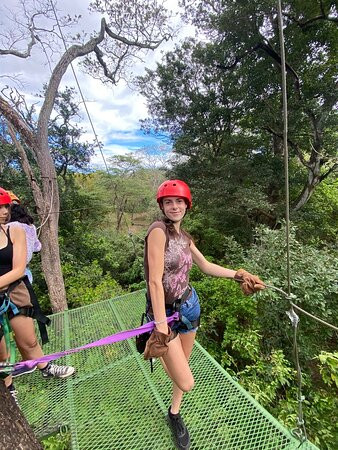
(219, 101)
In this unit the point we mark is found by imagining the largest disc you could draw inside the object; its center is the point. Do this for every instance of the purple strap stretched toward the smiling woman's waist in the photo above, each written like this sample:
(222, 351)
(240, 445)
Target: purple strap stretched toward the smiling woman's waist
(22, 366)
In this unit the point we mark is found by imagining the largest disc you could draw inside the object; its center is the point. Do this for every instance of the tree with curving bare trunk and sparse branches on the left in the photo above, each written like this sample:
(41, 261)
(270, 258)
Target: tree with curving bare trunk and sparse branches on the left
(126, 30)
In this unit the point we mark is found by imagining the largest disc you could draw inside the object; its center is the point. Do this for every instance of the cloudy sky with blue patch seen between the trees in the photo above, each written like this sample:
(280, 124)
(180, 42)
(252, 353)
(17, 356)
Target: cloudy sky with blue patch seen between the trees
(115, 111)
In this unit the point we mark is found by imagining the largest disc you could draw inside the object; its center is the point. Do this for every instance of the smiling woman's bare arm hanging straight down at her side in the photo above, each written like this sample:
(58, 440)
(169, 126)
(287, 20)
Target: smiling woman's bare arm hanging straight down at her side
(156, 246)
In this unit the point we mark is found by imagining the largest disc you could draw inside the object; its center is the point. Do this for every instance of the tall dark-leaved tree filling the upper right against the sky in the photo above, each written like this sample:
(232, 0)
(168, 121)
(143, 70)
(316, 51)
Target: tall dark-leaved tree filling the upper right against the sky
(220, 101)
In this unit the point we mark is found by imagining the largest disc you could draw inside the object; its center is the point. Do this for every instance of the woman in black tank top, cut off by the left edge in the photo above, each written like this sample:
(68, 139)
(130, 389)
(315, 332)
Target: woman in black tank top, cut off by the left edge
(14, 285)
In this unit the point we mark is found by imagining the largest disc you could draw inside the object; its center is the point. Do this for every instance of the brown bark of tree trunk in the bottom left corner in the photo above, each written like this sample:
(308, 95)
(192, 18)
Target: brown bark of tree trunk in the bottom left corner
(15, 430)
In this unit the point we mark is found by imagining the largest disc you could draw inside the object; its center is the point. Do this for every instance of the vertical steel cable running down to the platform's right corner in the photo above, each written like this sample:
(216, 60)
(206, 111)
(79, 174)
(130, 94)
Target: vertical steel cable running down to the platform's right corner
(300, 431)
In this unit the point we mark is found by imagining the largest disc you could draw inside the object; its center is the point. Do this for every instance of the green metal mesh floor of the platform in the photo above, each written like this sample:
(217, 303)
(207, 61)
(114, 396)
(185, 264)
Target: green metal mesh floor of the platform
(114, 402)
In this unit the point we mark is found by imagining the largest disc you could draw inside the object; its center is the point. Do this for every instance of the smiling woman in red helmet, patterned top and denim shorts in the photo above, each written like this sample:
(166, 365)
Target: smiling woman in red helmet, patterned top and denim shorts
(169, 254)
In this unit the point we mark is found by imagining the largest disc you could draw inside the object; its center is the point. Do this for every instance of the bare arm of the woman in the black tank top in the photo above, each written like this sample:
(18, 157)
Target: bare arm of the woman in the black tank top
(18, 238)
